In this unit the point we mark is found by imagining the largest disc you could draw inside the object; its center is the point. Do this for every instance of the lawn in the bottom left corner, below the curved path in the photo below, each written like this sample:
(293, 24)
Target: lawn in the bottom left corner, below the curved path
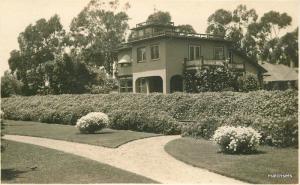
(52, 166)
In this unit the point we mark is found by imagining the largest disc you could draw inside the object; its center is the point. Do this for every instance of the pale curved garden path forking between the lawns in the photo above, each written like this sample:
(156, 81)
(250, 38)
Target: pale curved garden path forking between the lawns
(145, 157)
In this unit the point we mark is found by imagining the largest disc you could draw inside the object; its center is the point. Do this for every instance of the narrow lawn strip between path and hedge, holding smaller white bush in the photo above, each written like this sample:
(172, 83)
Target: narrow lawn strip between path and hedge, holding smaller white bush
(106, 137)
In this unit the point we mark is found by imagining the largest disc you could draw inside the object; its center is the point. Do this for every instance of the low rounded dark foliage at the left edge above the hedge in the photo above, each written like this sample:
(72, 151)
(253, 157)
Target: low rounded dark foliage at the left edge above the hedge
(10, 85)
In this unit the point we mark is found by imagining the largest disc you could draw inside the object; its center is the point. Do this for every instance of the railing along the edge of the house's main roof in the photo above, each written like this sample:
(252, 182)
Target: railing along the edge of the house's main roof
(175, 34)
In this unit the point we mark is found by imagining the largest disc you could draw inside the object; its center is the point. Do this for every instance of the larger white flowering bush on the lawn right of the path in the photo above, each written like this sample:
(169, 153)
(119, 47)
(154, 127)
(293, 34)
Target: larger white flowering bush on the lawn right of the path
(237, 139)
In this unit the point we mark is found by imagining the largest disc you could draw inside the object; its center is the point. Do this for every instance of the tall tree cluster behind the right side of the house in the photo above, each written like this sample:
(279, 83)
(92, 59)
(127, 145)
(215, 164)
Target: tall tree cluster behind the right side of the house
(256, 36)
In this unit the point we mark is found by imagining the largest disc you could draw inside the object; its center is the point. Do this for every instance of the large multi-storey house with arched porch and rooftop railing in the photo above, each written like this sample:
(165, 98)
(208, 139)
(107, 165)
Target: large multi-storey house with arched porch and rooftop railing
(156, 56)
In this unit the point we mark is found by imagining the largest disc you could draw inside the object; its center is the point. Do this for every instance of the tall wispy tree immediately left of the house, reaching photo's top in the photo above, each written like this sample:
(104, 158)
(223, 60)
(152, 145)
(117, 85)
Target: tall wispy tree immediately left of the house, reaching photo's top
(96, 32)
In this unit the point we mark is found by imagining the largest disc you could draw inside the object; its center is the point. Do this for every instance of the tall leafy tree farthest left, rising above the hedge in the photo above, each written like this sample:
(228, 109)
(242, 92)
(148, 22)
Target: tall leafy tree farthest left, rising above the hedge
(38, 44)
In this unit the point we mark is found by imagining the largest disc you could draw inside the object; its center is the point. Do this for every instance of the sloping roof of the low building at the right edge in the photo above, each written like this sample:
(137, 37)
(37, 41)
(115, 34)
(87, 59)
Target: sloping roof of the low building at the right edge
(279, 72)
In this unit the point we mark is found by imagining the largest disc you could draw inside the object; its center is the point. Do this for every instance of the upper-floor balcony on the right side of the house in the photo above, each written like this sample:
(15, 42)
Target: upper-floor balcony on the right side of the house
(198, 64)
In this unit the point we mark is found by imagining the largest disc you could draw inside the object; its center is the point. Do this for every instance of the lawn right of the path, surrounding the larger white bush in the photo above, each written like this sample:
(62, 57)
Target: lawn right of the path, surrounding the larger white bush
(253, 168)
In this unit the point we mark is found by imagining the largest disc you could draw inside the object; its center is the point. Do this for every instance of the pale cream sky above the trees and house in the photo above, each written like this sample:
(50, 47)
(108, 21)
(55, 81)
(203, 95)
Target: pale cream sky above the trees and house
(15, 15)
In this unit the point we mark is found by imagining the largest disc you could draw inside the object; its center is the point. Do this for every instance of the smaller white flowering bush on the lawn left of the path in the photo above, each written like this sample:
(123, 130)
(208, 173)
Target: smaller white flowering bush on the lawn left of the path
(92, 122)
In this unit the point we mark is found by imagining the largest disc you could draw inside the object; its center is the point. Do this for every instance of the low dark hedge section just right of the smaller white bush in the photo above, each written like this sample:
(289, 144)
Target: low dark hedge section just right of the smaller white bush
(144, 121)
